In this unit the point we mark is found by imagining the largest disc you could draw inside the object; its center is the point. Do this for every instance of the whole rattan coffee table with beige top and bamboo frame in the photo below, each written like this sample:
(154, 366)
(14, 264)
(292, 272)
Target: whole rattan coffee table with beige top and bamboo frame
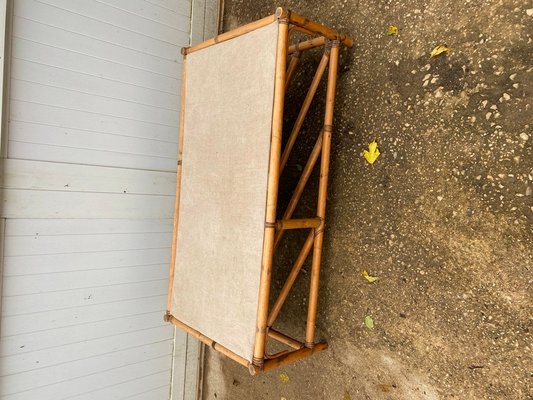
(226, 228)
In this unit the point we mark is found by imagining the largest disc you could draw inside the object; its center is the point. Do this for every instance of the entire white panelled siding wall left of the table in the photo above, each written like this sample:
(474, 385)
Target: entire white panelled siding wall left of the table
(88, 199)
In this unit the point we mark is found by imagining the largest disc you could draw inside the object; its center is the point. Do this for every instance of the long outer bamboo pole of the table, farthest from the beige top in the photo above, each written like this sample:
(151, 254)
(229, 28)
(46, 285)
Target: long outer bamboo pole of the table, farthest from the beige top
(322, 195)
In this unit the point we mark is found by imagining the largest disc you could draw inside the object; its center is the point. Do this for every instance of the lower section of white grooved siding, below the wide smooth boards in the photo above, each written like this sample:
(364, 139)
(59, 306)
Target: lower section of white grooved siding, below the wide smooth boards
(81, 298)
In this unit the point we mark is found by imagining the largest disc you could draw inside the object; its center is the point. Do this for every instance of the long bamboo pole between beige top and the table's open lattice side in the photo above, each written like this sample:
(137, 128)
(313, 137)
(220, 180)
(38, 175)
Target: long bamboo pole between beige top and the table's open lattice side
(272, 194)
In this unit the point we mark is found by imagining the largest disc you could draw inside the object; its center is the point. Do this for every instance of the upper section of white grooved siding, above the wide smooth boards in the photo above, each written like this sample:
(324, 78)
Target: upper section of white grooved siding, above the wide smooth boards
(97, 82)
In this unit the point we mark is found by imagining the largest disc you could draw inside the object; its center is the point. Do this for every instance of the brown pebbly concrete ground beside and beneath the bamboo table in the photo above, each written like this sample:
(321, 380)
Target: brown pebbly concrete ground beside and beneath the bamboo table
(444, 217)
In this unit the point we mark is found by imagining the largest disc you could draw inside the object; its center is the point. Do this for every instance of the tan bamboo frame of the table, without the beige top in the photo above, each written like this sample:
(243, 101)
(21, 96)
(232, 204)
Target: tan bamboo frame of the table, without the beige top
(330, 40)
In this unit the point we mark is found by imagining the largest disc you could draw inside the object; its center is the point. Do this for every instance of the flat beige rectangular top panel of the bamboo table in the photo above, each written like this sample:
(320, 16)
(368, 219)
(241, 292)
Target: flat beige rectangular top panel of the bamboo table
(227, 132)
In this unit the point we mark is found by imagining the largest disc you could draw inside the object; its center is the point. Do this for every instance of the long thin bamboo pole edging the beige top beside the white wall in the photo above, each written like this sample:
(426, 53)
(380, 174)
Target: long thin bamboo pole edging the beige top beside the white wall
(178, 186)
